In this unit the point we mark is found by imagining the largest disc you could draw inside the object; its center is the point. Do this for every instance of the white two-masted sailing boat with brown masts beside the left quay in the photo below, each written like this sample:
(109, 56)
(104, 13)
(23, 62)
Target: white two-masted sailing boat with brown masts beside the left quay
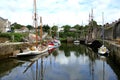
(37, 49)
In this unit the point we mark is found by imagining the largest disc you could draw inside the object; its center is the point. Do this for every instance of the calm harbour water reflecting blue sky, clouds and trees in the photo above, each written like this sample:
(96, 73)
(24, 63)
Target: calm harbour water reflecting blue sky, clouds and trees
(68, 62)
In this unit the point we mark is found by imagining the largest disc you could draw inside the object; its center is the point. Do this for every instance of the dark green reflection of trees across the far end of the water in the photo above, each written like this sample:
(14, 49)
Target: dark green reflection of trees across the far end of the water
(78, 49)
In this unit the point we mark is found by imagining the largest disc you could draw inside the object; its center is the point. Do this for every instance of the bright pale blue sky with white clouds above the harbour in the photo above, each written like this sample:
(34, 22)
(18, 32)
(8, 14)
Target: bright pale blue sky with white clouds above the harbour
(60, 12)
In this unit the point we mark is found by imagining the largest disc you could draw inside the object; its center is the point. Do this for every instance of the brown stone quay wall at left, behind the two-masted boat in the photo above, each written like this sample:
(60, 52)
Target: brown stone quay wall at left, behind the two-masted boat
(8, 49)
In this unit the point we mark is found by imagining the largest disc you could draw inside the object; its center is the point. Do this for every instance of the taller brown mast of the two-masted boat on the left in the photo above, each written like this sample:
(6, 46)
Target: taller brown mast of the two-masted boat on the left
(35, 22)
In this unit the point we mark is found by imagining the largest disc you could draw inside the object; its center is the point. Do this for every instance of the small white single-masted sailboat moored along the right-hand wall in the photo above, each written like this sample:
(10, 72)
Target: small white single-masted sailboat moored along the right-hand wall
(103, 50)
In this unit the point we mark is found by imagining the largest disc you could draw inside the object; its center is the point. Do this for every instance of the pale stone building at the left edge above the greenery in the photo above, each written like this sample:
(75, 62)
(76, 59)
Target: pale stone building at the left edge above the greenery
(4, 25)
